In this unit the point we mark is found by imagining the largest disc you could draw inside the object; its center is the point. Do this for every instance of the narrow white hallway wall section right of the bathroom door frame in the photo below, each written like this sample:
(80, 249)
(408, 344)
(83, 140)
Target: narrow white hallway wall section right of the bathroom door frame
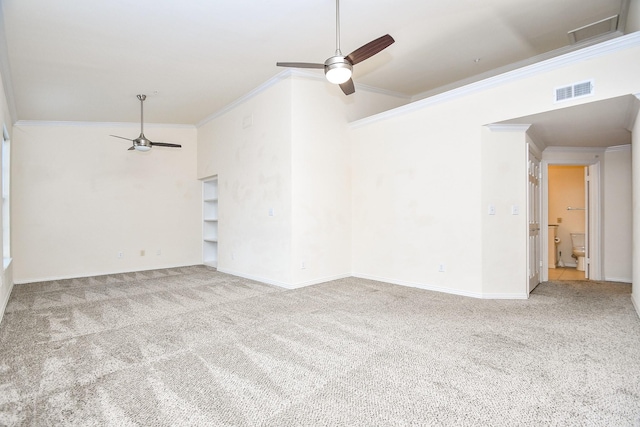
(618, 219)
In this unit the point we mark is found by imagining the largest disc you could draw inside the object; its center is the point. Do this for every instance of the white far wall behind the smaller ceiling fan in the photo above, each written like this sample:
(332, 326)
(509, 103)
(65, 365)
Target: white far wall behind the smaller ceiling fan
(80, 197)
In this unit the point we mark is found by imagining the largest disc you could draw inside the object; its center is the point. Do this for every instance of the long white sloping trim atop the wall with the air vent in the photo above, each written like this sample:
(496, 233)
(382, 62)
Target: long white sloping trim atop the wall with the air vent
(603, 48)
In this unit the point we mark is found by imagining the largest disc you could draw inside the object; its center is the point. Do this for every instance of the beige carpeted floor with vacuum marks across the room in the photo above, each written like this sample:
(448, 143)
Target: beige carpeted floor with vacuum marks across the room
(191, 346)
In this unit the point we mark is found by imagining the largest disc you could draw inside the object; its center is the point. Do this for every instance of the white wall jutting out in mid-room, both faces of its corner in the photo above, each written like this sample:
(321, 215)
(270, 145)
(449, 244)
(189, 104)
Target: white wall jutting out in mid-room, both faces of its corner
(294, 158)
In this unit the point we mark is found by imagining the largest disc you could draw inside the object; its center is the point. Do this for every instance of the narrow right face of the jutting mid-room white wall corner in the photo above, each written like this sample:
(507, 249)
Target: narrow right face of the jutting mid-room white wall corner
(321, 181)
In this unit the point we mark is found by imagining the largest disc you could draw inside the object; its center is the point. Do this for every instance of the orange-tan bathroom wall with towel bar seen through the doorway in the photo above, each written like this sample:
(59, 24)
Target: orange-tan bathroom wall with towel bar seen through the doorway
(566, 188)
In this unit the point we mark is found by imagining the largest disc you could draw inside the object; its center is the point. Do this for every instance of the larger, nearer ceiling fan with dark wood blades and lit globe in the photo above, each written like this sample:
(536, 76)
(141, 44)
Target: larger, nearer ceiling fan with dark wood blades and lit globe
(338, 68)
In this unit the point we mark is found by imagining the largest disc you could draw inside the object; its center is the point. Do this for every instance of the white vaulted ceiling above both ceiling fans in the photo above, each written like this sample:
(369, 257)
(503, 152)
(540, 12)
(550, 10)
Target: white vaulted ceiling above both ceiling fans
(79, 60)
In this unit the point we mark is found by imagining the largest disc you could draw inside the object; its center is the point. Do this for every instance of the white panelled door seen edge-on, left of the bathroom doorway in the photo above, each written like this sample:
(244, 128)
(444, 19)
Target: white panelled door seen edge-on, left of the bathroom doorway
(533, 216)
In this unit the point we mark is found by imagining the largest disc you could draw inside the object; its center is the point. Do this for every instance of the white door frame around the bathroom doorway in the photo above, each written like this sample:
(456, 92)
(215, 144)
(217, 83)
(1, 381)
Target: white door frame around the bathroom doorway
(594, 233)
